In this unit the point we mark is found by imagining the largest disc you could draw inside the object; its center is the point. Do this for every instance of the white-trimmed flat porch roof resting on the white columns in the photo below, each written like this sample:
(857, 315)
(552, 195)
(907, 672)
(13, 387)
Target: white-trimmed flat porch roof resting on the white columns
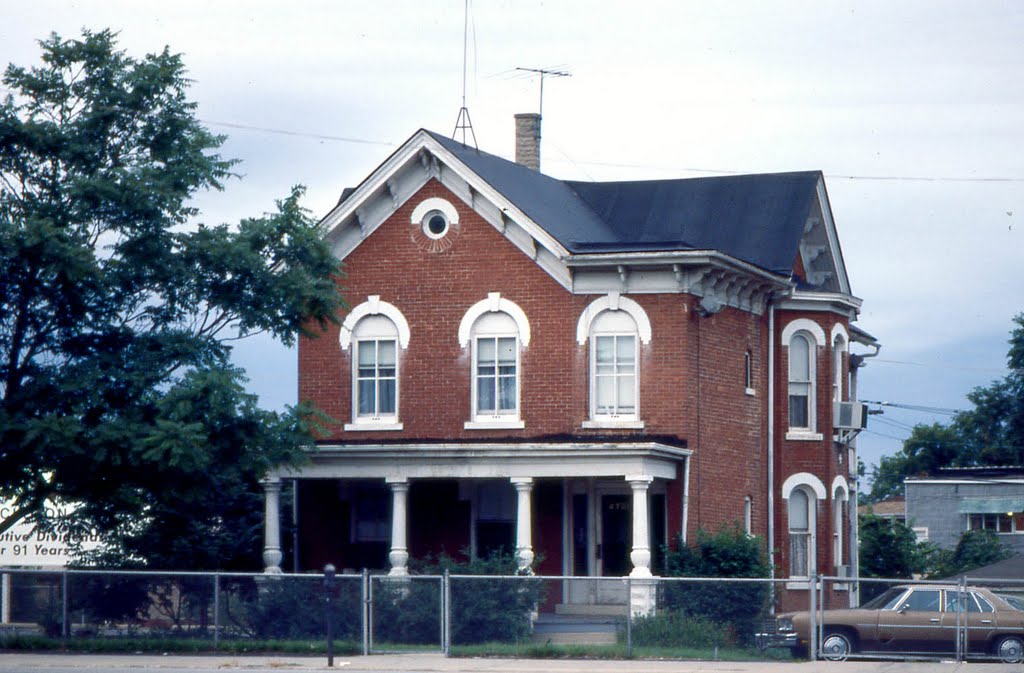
(489, 460)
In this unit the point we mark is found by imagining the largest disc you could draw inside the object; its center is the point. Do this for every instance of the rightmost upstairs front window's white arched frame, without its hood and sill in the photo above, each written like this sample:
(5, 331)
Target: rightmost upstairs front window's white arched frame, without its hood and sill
(614, 371)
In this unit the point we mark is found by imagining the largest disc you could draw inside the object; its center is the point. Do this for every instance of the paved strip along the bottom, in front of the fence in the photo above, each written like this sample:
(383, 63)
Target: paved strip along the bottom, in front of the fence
(21, 663)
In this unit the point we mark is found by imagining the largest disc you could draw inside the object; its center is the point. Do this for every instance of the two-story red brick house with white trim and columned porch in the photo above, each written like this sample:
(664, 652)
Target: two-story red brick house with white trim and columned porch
(577, 371)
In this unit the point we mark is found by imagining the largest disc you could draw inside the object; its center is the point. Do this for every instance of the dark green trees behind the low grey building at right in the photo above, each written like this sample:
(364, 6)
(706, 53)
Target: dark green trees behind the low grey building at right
(991, 433)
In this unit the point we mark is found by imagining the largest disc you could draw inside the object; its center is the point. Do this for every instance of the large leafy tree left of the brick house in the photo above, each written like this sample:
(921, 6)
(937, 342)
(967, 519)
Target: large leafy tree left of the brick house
(118, 310)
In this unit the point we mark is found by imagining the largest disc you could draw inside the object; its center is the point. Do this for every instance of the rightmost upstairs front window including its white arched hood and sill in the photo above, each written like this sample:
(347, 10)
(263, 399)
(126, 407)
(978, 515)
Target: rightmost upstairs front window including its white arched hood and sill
(616, 328)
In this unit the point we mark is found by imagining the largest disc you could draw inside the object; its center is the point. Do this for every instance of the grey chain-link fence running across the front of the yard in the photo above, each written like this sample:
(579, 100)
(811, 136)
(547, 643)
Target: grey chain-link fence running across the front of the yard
(700, 618)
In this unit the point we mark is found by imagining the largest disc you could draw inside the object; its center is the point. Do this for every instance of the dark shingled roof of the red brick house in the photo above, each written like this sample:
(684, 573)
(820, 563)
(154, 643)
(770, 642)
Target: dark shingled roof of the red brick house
(755, 219)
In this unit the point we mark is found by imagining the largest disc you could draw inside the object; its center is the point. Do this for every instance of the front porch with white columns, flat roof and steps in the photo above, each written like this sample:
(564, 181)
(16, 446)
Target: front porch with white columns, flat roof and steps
(567, 510)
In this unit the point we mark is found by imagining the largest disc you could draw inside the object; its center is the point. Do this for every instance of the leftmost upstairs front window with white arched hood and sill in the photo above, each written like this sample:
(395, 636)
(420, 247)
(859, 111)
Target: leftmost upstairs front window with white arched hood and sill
(375, 332)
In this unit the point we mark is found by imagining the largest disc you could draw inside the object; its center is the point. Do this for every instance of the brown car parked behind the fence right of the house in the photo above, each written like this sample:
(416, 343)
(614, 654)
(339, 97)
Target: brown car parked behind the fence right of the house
(916, 620)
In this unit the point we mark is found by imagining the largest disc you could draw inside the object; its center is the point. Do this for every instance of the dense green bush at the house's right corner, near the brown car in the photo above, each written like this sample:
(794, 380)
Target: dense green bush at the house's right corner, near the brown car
(729, 554)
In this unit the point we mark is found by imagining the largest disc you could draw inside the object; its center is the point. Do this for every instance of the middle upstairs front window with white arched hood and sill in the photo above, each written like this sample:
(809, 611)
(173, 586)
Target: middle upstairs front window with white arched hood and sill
(497, 330)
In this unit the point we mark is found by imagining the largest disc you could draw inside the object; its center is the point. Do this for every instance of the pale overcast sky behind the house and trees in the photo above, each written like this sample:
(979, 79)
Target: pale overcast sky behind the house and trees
(914, 110)
